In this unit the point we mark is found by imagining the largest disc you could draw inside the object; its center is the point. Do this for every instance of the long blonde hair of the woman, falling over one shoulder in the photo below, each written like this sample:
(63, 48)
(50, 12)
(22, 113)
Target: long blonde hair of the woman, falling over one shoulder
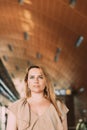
(48, 91)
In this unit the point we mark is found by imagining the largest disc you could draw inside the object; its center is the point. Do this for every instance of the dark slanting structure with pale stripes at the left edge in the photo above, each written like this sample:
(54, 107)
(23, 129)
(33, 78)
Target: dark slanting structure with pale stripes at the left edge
(7, 87)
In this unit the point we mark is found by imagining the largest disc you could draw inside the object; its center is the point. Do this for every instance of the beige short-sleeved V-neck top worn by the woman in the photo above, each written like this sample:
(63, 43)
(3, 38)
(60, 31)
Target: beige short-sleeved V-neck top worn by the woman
(28, 120)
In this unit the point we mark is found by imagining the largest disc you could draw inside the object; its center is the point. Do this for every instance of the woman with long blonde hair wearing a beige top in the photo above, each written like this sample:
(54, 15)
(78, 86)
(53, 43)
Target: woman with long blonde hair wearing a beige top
(39, 110)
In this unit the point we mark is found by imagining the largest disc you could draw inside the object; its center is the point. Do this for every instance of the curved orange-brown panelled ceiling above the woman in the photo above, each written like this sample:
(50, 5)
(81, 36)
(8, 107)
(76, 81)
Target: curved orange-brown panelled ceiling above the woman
(39, 32)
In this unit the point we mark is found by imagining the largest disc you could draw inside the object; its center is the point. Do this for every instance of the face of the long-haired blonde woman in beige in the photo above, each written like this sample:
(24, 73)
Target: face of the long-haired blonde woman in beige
(36, 80)
